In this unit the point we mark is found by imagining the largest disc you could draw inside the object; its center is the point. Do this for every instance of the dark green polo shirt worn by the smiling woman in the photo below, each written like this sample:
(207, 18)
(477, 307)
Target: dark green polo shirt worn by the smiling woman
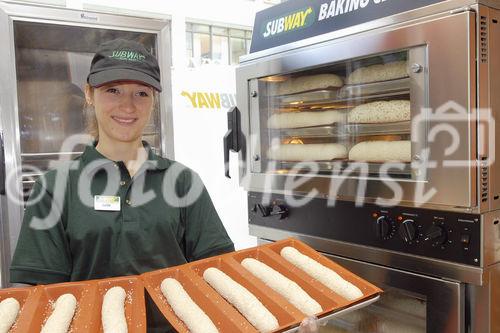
(161, 221)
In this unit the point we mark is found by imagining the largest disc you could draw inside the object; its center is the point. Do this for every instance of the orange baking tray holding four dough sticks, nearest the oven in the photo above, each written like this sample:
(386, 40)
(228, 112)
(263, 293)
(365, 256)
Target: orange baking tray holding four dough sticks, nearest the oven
(227, 318)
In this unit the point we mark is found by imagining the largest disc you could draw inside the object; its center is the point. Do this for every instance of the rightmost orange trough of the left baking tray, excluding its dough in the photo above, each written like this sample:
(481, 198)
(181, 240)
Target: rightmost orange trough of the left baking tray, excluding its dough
(135, 307)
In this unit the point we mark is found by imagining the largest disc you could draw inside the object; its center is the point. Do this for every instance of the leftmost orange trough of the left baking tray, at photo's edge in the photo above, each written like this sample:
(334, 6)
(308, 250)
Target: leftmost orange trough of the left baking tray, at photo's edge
(27, 299)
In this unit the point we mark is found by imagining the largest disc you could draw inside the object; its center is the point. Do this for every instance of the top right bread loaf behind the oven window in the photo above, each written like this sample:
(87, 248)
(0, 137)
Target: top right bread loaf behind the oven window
(376, 73)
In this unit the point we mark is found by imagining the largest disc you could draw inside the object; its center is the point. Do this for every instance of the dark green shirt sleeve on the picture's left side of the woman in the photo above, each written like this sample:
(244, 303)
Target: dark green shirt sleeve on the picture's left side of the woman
(42, 254)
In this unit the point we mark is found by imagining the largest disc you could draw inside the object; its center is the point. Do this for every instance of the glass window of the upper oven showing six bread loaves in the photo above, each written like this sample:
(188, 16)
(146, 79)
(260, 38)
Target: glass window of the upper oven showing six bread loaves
(358, 110)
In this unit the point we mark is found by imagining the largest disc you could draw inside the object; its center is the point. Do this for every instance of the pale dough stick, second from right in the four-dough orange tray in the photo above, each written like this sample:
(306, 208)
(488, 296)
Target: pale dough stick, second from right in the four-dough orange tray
(287, 288)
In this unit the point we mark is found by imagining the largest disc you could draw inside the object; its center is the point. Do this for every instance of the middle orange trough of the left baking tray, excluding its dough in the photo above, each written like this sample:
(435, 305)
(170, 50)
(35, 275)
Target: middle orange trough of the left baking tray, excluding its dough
(84, 293)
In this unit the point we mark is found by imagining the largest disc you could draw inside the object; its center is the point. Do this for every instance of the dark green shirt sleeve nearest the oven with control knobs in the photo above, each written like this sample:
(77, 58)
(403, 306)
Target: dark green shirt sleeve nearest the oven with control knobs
(205, 234)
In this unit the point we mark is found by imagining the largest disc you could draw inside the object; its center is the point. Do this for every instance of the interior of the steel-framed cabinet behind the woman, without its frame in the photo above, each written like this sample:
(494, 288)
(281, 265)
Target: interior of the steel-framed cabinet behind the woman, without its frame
(51, 68)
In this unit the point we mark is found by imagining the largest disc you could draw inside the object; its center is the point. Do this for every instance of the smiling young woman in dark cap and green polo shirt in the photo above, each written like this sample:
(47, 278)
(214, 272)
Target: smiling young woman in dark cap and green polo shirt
(119, 209)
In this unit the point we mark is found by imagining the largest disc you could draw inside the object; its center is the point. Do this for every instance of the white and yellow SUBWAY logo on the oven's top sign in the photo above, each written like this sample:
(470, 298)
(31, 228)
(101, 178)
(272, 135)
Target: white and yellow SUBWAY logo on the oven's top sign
(293, 21)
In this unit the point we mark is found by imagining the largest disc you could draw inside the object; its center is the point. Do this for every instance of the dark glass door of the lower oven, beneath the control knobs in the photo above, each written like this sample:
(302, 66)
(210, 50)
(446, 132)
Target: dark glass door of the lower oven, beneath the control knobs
(411, 303)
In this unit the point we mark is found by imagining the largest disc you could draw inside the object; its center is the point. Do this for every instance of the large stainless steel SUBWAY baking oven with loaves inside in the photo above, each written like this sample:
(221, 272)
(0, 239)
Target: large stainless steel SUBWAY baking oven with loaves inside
(372, 138)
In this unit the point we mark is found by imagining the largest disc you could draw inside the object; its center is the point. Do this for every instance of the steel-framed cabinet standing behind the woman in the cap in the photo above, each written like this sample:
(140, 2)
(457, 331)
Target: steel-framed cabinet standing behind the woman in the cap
(46, 54)
